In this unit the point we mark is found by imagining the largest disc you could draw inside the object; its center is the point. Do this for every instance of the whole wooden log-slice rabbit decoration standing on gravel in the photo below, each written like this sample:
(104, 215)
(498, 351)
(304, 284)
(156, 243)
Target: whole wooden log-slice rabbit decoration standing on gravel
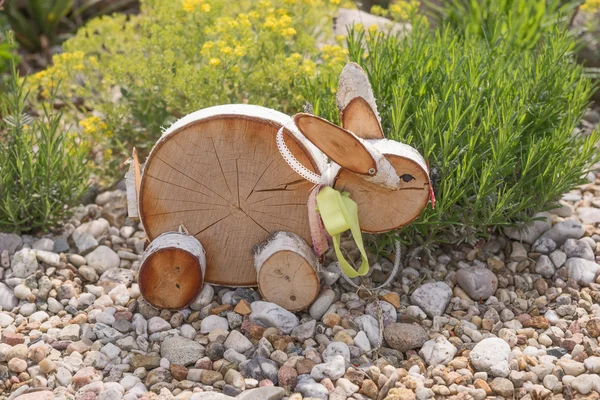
(218, 174)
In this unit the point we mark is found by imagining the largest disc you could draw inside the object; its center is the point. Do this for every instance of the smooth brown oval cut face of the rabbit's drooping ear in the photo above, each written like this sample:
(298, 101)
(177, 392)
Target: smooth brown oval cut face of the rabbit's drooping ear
(342, 146)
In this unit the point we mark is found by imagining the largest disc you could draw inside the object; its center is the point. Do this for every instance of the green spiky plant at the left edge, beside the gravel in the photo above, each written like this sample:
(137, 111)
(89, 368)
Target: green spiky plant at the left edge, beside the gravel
(42, 170)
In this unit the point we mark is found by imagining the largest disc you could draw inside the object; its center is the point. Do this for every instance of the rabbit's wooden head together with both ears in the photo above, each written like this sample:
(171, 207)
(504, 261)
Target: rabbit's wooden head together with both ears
(376, 171)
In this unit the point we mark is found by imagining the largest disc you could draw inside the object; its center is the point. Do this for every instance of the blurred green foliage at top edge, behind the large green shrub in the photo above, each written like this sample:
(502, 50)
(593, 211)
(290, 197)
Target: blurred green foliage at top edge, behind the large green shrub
(522, 23)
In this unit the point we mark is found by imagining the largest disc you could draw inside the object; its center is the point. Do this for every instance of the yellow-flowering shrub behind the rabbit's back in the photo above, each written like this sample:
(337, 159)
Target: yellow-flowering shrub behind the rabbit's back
(140, 73)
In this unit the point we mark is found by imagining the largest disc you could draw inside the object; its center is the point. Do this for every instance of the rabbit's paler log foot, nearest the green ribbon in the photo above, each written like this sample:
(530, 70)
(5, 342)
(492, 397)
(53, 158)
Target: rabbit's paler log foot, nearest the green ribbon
(287, 271)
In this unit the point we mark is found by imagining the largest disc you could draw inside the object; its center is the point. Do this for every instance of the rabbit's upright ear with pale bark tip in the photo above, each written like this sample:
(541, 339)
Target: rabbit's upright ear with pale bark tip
(356, 103)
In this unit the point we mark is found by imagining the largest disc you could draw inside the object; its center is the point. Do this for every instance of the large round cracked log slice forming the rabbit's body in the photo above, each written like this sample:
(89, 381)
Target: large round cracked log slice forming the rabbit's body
(219, 173)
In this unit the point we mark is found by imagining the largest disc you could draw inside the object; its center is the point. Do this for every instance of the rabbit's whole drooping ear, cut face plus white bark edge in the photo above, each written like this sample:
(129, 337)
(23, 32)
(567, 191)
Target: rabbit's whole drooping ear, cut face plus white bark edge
(348, 150)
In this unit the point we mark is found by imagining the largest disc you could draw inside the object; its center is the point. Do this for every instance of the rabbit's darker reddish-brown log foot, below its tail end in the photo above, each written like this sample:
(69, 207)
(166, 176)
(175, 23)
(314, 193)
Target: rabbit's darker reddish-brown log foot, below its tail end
(172, 270)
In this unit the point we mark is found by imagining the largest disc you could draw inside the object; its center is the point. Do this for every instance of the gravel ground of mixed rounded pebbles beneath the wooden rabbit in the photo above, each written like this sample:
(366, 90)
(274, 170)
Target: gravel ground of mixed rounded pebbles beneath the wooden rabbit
(516, 316)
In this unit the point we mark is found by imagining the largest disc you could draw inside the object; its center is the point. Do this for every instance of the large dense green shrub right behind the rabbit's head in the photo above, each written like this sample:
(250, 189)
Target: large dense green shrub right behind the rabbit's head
(496, 122)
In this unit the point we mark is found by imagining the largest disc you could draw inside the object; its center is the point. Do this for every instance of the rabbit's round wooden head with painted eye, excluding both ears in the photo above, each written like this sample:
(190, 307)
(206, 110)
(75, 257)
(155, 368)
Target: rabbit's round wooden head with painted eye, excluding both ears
(381, 209)
